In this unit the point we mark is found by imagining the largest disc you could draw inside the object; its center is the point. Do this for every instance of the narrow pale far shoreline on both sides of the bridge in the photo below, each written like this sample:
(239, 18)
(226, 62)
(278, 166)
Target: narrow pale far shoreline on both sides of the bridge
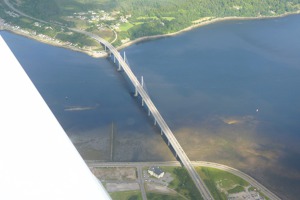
(103, 54)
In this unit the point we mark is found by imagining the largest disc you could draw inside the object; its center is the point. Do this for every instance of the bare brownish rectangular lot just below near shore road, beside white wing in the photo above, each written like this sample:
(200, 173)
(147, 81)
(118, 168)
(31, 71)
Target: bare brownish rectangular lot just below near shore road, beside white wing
(115, 173)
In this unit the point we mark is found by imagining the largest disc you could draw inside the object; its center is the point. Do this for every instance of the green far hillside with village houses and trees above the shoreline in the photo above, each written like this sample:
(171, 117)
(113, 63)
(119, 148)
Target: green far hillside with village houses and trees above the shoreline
(120, 21)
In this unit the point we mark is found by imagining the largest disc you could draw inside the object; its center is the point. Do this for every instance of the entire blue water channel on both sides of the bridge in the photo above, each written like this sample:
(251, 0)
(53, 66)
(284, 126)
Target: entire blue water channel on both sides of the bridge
(229, 91)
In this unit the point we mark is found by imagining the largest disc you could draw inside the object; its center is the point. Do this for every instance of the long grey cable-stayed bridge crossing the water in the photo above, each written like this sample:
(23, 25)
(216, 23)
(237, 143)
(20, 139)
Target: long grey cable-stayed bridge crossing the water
(158, 119)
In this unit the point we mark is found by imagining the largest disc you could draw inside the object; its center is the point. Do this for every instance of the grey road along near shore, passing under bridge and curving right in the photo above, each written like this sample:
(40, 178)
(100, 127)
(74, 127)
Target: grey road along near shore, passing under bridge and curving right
(234, 171)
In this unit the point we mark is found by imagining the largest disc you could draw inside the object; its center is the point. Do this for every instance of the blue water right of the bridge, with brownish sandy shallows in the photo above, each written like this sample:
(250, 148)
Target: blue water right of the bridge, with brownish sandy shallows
(231, 93)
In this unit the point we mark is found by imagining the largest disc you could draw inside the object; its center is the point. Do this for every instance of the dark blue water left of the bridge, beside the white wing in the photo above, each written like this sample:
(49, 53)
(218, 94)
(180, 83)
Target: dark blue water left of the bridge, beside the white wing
(87, 96)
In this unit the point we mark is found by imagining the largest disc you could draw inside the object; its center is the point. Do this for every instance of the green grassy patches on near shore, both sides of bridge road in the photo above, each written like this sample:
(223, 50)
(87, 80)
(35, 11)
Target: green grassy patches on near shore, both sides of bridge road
(220, 184)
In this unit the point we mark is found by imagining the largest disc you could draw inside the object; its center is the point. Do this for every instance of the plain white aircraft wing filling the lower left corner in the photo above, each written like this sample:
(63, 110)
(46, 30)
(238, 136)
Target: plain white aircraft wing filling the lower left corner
(38, 160)
